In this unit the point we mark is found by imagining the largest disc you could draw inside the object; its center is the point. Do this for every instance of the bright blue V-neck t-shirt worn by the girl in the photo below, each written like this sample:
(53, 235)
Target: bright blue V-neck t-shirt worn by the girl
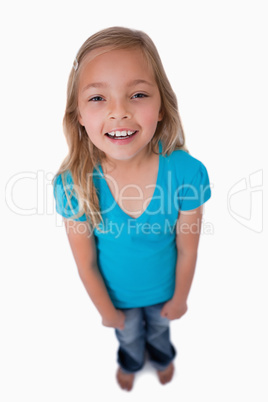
(137, 256)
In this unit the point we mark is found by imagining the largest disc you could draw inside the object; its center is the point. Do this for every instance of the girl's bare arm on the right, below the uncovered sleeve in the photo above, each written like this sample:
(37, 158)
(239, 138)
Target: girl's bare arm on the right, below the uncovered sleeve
(187, 239)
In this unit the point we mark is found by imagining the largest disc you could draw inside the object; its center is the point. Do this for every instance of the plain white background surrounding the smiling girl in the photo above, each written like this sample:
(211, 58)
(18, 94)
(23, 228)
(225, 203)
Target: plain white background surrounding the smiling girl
(53, 346)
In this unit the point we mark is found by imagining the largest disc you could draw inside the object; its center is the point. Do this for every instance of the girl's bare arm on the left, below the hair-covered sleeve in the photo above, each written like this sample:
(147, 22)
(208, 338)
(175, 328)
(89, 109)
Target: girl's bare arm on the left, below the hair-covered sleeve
(84, 251)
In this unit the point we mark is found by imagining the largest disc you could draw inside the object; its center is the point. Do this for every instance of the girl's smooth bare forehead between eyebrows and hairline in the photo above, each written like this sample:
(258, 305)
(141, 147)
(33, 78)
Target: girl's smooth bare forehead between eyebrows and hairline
(105, 63)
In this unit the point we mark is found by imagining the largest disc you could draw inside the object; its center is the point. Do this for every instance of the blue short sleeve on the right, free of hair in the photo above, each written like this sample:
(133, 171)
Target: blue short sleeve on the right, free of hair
(195, 191)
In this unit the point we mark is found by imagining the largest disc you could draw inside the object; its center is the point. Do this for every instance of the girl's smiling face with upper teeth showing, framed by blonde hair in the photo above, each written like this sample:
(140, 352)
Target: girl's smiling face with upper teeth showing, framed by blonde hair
(119, 102)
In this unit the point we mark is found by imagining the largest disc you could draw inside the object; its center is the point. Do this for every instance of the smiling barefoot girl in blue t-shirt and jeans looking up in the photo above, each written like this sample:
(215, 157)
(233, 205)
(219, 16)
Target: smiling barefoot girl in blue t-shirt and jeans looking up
(131, 195)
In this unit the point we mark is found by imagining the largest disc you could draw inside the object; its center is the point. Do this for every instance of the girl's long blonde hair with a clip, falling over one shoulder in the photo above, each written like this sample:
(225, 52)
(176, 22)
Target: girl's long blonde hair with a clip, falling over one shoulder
(84, 156)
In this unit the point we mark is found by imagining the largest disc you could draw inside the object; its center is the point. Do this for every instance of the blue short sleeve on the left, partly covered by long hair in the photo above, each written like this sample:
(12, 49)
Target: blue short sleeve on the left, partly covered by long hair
(65, 198)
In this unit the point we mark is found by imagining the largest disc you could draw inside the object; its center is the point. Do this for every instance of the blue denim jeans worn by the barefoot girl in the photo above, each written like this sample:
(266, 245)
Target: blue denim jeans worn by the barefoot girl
(145, 331)
